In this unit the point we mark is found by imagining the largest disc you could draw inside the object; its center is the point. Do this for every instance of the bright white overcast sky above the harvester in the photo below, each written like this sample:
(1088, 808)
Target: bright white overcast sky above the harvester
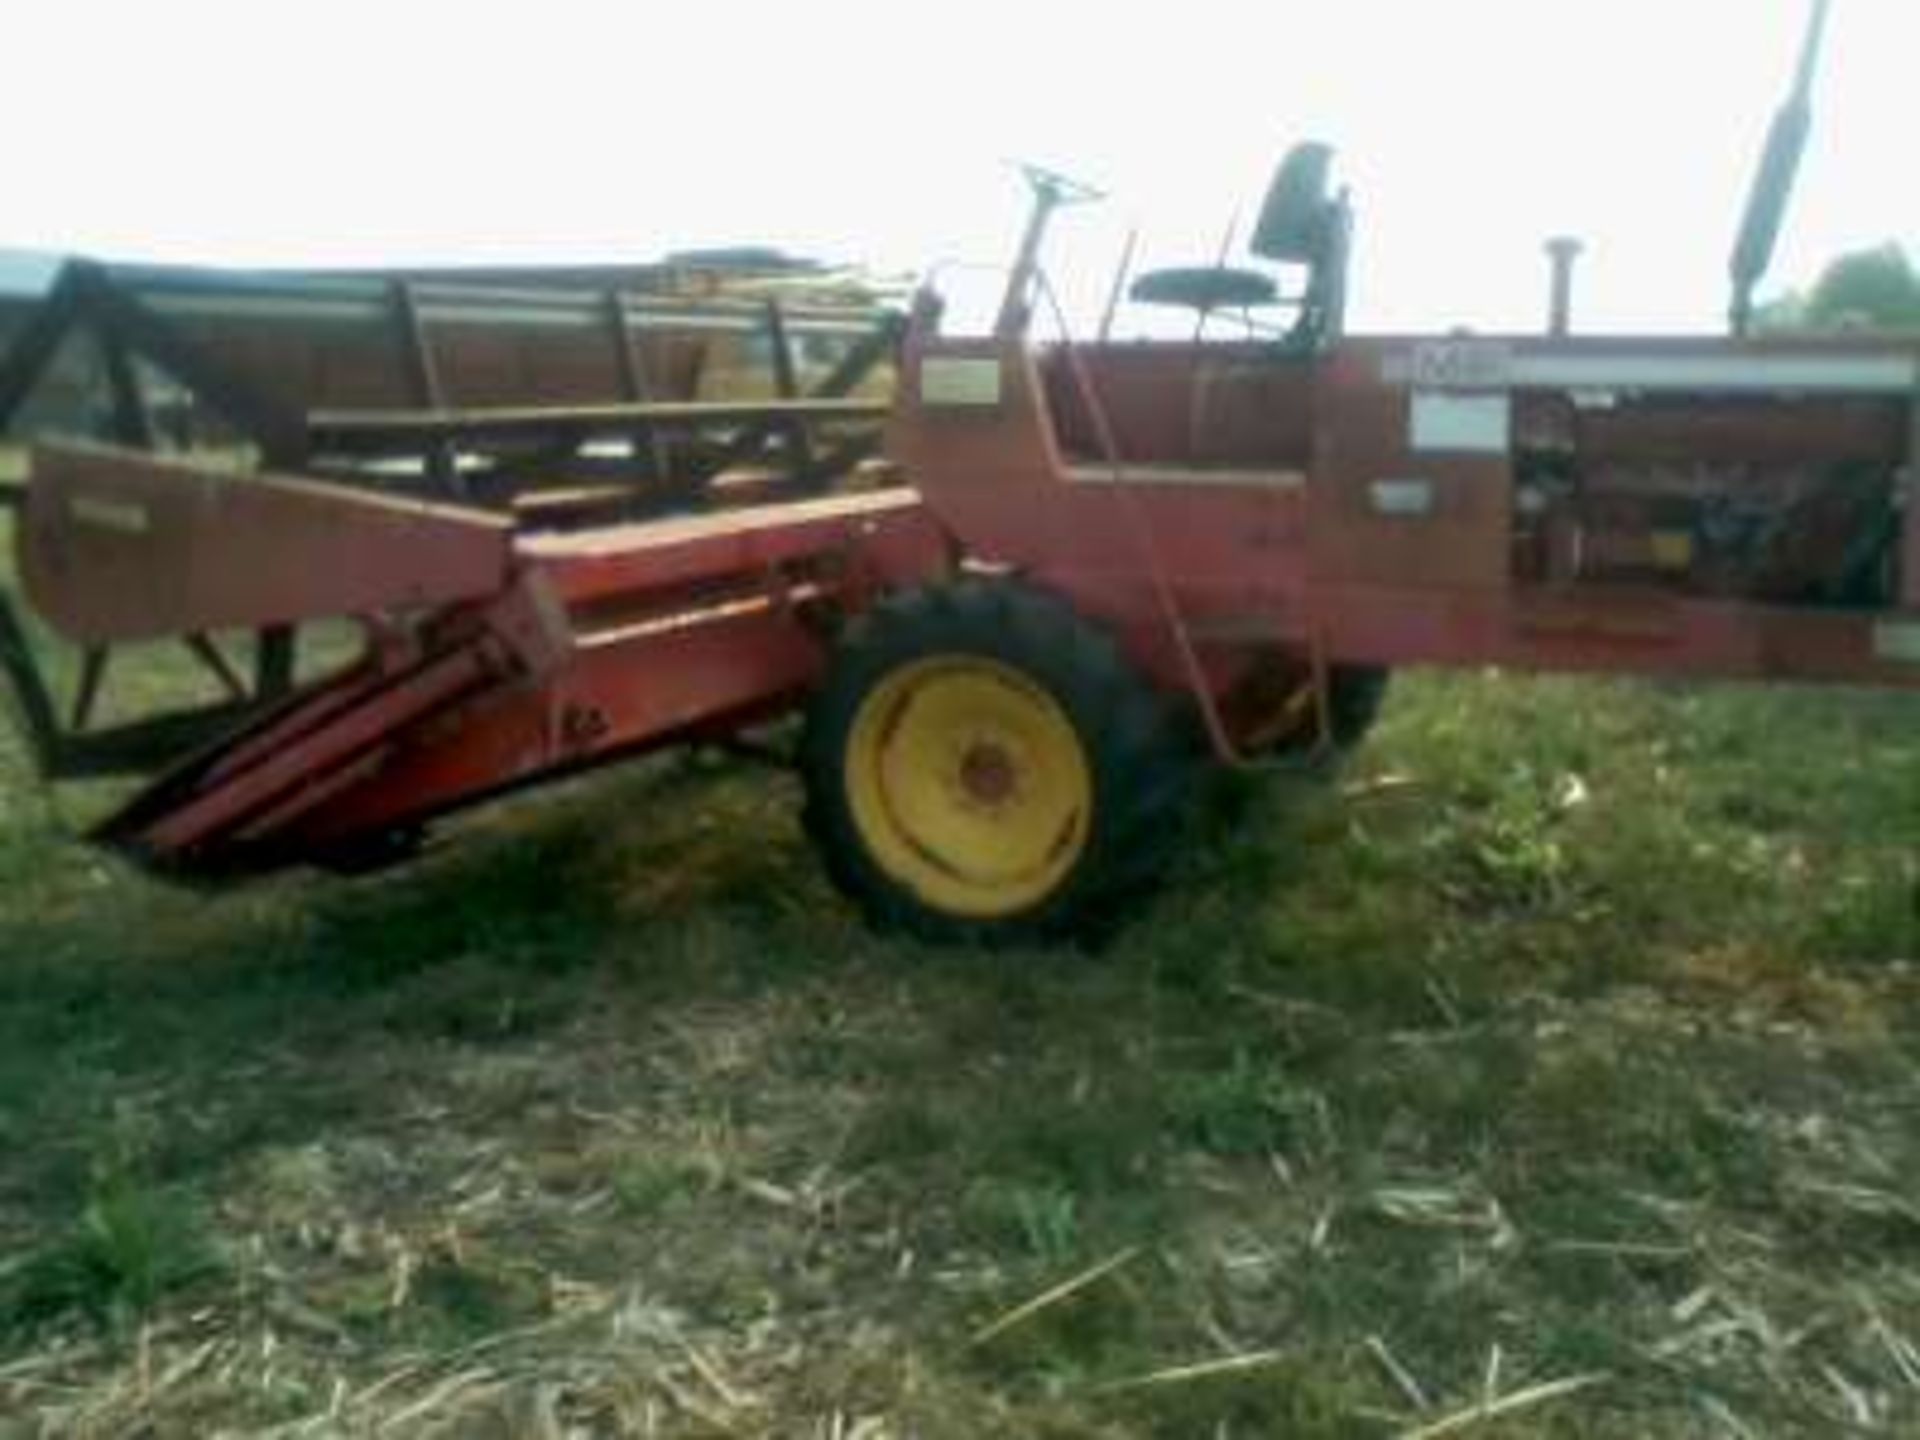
(256, 132)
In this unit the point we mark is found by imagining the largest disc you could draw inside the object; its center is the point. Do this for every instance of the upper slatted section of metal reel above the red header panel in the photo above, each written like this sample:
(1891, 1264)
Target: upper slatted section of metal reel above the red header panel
(143, 314)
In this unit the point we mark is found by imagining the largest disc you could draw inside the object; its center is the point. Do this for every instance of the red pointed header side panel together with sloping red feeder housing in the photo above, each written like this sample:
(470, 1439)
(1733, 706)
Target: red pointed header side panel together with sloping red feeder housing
(492, 661)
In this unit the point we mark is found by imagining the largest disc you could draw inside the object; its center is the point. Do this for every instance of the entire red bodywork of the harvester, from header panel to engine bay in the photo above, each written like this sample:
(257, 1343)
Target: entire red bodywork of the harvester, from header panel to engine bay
(1243, 517)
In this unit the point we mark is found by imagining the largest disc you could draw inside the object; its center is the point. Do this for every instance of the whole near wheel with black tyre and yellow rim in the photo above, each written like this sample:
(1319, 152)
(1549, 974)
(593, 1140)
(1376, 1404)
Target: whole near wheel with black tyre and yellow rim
(986, 767)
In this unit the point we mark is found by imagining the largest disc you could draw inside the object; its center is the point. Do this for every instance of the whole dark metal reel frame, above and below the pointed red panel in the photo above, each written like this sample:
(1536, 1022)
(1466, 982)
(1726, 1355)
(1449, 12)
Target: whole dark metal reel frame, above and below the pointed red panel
(141, 316)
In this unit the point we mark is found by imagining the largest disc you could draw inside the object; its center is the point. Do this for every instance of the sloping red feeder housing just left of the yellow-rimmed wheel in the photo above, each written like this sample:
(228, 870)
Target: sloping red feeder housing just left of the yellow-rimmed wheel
(527, 683)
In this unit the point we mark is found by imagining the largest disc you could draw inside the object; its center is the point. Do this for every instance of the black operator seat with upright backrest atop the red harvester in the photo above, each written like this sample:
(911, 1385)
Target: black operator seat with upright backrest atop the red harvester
(1301, 224)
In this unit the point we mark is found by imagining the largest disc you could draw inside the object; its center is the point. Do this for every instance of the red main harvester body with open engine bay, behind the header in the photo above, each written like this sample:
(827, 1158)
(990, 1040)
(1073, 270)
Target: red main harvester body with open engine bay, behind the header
(1366, 506)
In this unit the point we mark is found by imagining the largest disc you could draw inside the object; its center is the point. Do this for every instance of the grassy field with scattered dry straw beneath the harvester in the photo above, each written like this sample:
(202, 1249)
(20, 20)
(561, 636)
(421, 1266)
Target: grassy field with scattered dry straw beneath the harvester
(1552, 1074)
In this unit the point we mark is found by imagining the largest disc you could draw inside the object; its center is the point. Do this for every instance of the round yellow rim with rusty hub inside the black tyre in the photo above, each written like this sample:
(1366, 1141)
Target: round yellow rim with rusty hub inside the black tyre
(969, 786)
